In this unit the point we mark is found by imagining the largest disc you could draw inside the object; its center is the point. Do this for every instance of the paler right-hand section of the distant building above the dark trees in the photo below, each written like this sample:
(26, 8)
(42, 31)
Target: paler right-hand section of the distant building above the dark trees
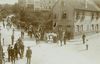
(44, 4)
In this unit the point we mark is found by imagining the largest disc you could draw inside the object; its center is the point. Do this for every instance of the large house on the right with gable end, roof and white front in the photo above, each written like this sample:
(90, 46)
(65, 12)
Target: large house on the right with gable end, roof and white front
(76, 16)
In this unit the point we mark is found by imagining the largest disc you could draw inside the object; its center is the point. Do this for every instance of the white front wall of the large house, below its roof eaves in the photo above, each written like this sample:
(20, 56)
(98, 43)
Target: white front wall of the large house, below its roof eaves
(87, 24)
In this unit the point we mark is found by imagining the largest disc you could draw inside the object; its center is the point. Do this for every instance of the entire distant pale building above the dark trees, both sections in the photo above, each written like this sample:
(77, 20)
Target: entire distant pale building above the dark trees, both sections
(38, 4)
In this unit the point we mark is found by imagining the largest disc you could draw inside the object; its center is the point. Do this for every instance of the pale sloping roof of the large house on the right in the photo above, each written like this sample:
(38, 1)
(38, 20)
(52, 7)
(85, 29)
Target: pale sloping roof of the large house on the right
(81, 4)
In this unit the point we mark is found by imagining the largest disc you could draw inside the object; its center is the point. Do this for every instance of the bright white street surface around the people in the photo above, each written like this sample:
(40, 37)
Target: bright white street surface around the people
(49, 53)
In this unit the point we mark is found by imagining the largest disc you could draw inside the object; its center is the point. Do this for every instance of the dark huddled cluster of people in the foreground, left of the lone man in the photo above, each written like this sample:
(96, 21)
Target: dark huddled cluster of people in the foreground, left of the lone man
(16, 51)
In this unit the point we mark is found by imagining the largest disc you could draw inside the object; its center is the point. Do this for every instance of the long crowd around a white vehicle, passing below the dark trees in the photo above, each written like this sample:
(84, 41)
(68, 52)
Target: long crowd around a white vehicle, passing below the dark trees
(40, 33)
